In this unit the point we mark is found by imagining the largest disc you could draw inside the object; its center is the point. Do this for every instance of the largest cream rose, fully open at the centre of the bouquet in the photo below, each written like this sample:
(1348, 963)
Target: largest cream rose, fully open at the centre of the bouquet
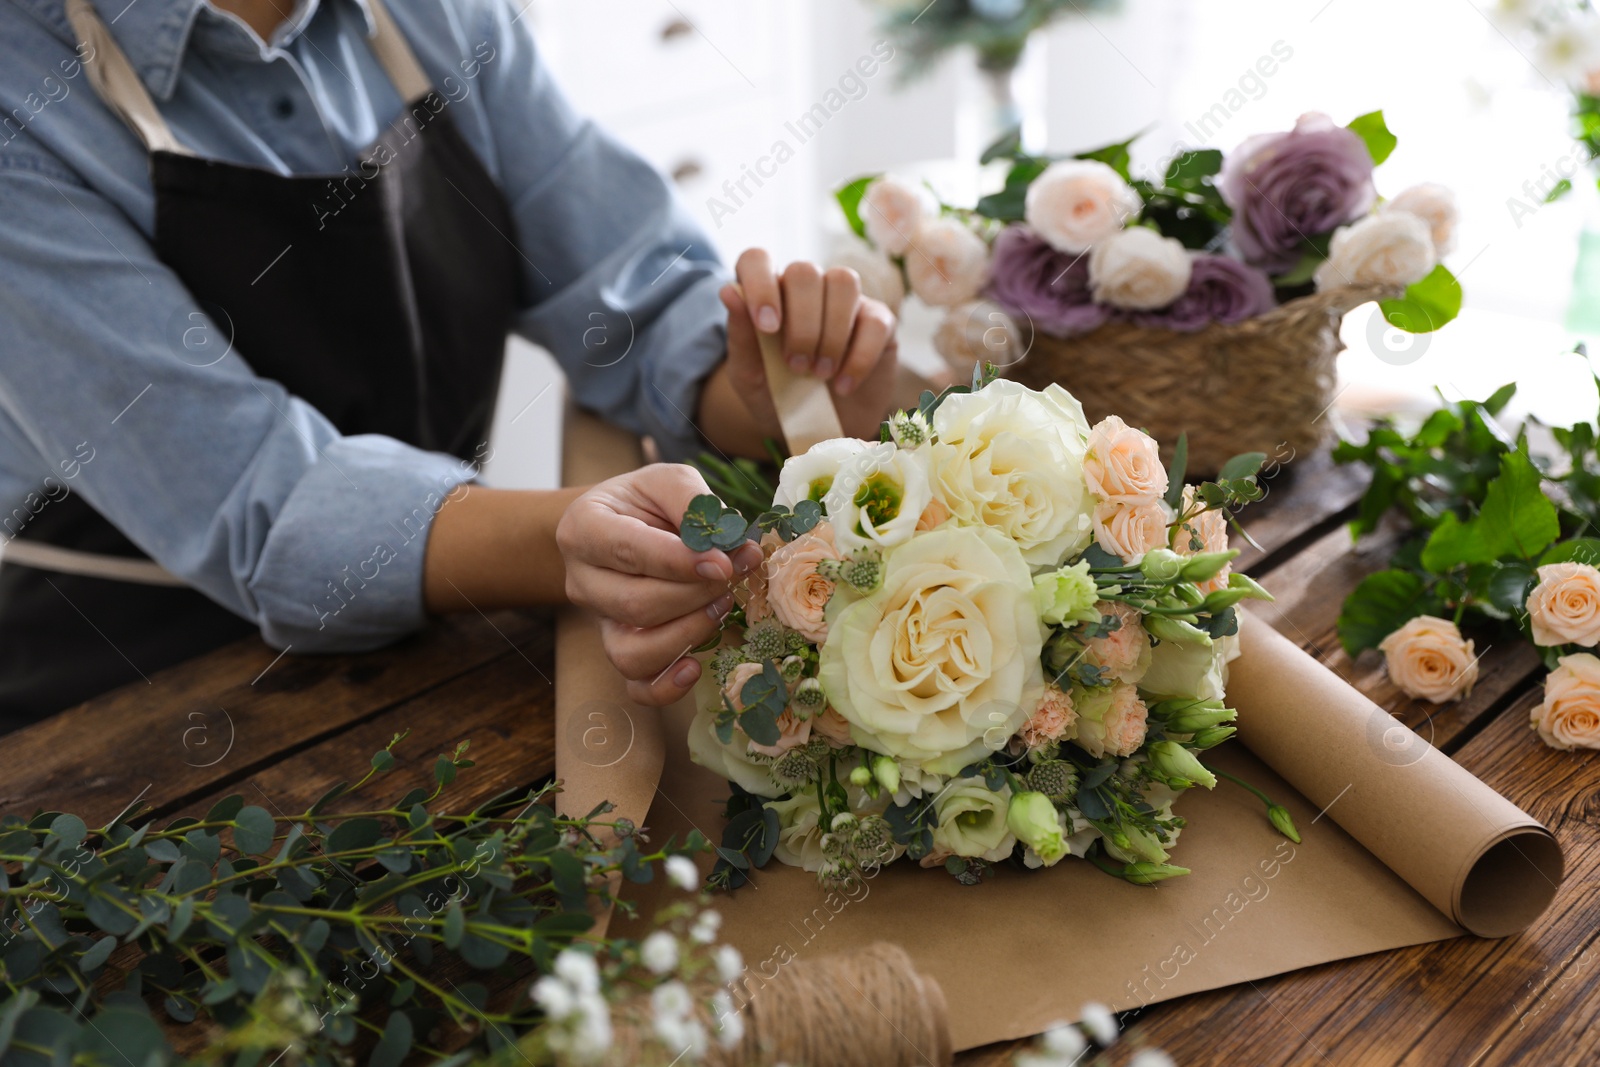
(942, 663)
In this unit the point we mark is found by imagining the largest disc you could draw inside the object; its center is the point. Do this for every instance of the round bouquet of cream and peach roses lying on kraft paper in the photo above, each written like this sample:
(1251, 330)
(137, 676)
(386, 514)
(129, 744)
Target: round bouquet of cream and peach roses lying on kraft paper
(998, 634)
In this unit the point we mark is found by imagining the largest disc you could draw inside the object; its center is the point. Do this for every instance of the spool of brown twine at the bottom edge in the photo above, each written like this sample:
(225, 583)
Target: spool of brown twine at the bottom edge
(866, 1009)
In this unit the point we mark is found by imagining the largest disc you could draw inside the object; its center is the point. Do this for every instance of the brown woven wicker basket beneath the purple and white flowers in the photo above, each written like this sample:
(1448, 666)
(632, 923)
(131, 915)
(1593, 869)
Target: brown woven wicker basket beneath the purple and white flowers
(1257, 386)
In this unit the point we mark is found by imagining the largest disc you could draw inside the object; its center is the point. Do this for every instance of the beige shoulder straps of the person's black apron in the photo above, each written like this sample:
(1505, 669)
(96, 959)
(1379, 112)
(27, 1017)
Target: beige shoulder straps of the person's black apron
(119, 86)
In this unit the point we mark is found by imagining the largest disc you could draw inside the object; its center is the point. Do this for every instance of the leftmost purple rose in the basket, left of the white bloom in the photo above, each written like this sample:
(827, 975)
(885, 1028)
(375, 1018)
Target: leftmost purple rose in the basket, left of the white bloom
(1052, 289)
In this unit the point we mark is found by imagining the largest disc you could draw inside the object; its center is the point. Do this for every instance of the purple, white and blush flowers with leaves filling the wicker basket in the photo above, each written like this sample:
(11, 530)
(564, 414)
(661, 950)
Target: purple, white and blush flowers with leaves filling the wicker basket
(1073, 244)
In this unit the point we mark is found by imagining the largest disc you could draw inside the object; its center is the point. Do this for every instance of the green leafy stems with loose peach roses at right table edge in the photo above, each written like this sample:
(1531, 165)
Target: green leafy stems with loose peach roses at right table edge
(1500, 537)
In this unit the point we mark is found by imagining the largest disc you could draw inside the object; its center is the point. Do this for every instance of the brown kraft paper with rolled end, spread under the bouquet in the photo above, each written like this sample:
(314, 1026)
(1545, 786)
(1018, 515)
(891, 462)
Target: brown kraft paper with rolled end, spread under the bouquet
(1401, 847)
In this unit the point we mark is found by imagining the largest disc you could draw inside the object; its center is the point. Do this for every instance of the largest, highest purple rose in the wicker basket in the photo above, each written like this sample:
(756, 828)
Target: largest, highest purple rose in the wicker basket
(1289, 186)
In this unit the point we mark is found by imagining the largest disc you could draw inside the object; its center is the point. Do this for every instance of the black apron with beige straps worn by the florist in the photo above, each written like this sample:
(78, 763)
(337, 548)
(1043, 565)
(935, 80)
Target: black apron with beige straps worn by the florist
(386, 306)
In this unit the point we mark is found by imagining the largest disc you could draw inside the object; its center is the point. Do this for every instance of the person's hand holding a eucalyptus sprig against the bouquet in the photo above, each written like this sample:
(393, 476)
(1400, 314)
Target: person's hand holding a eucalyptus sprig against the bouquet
(657, 599)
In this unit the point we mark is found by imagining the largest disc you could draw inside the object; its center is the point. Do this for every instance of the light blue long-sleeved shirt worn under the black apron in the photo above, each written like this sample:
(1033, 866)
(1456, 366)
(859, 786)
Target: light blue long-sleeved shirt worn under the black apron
(228, 481)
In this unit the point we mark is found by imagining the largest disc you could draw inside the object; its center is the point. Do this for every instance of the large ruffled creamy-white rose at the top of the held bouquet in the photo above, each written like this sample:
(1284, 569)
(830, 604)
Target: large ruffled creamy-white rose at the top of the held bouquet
(1012, 460)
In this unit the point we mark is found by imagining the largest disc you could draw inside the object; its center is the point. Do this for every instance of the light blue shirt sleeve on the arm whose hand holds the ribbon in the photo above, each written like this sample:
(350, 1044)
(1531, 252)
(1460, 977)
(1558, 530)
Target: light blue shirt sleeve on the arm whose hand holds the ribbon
(623, 284)
